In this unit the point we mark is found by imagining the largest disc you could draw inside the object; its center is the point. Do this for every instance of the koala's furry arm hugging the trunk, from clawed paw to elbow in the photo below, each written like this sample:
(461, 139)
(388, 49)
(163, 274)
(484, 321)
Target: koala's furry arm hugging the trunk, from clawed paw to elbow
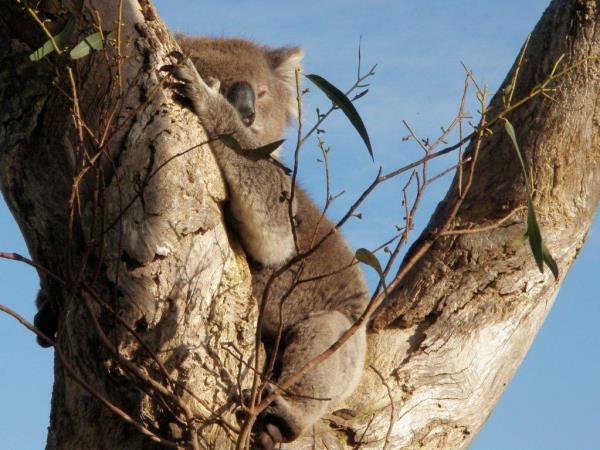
(258, 189)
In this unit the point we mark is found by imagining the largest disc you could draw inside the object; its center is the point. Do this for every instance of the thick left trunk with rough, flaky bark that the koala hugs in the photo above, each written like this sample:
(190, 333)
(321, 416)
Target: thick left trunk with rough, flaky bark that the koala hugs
(167, 265)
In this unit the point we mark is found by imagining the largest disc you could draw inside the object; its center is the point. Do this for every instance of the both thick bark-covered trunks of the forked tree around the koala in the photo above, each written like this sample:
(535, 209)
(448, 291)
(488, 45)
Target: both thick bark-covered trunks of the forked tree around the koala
(147, 240)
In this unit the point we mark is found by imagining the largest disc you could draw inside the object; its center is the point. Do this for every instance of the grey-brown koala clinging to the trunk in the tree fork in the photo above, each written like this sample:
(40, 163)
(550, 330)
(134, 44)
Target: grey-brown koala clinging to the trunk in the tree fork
(239, 88)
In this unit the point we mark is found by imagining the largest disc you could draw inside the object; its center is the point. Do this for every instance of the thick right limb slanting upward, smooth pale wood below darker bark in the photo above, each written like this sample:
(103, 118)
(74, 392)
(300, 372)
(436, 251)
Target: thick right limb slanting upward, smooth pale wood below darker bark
(458, 325)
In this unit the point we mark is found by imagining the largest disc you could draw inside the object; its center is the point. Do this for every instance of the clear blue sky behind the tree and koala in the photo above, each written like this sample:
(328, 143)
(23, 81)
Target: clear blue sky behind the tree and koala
(553, 401)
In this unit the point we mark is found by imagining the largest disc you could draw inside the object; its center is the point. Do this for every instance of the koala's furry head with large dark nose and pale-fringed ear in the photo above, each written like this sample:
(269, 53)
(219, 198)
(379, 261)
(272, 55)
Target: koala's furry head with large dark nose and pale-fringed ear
(258, 81)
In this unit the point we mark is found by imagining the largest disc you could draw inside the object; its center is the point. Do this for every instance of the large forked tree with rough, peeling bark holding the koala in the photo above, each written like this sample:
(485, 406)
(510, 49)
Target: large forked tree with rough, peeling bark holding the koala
(446, 307)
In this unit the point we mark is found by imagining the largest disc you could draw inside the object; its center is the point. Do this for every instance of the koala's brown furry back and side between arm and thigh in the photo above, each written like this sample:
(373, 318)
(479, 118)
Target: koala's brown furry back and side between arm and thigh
(336, 284)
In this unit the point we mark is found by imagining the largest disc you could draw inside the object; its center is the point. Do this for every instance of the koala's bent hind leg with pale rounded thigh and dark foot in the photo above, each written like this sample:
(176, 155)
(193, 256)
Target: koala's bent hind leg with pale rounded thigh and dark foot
(289, 415)
